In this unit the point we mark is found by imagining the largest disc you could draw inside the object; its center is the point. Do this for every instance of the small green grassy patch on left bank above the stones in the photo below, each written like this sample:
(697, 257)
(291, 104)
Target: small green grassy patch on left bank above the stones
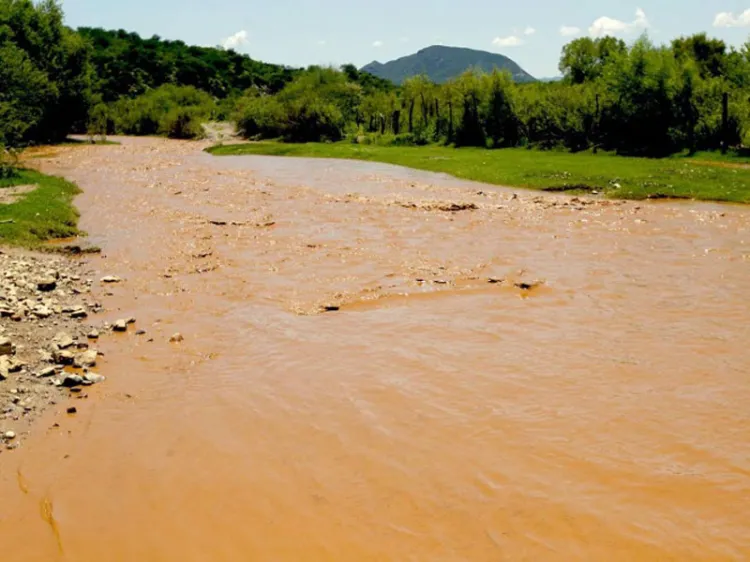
(40, 214)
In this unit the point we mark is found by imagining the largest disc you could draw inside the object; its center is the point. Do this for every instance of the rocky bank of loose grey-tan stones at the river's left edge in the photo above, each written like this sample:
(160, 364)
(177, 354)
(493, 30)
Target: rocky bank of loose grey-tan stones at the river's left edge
(47, 338)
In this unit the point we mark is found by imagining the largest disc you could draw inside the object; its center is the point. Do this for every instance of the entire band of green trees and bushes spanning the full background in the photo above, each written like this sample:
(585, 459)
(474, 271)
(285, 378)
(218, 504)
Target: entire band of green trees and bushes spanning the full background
(644, 99)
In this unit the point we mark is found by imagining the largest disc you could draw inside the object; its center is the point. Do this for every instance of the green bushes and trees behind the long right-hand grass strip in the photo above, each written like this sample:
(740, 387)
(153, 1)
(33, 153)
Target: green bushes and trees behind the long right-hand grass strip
(640, 99)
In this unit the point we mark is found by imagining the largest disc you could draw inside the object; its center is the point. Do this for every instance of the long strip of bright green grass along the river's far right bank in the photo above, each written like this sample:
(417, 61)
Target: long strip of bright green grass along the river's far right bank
(704, 176)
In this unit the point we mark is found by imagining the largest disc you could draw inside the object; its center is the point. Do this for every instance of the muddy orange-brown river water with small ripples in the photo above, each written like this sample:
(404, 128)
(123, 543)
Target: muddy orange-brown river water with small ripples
(442, 413)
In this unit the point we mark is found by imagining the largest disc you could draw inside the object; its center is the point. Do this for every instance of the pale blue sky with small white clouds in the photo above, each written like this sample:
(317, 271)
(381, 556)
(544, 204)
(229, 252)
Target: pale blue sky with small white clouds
(334, 32)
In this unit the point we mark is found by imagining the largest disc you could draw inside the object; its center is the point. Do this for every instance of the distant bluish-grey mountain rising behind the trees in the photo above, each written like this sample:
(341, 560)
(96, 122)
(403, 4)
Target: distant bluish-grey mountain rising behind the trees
(442, 63)
